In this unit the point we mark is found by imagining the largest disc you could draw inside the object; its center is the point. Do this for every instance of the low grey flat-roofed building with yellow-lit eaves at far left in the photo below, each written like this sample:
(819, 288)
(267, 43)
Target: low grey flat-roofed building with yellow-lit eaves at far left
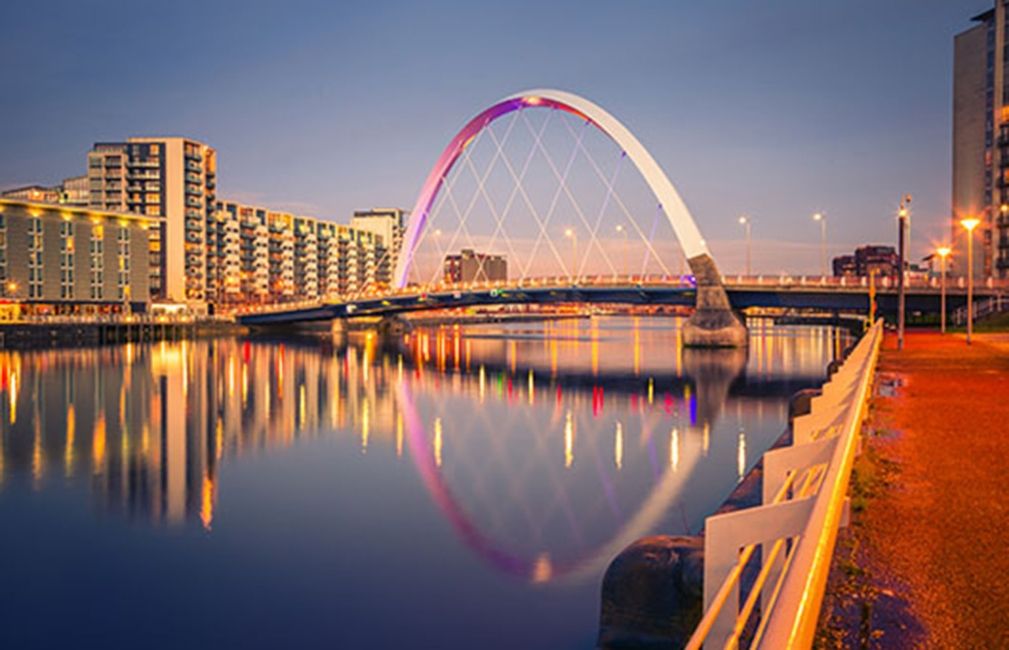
(59, 260)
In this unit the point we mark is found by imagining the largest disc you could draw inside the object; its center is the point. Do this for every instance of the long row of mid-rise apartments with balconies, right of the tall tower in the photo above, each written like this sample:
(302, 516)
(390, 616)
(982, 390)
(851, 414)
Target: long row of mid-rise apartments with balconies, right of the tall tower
(278, 257)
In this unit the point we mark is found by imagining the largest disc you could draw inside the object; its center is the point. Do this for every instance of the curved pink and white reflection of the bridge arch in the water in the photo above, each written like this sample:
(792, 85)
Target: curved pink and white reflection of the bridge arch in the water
(540, 570)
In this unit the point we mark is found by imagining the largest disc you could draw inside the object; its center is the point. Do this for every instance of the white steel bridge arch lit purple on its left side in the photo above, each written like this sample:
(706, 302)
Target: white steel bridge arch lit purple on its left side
(669, 200)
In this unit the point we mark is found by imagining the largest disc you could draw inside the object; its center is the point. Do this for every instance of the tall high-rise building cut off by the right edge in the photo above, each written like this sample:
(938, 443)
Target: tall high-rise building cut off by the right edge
(981, 140)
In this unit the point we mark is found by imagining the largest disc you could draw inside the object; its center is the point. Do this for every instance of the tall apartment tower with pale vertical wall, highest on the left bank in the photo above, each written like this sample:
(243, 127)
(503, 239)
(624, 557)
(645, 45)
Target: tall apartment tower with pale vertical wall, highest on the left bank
(175, 178)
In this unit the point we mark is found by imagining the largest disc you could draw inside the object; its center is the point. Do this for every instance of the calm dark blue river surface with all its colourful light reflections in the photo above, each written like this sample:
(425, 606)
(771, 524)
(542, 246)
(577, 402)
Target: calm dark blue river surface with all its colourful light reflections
(457, 489)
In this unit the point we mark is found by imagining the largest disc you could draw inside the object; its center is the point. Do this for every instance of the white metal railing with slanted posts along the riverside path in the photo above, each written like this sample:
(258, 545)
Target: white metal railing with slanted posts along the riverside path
(805, 503)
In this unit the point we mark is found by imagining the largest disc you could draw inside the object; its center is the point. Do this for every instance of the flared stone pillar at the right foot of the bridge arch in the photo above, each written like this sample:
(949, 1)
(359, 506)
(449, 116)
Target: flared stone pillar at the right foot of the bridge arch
(714, 324)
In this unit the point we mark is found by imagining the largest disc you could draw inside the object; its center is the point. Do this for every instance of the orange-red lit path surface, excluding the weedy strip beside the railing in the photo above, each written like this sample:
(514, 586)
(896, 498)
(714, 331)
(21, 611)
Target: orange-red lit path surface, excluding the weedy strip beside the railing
(943, 528)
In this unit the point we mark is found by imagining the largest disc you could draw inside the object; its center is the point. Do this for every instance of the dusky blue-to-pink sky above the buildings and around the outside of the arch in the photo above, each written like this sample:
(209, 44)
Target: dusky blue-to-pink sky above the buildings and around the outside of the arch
(775, 110)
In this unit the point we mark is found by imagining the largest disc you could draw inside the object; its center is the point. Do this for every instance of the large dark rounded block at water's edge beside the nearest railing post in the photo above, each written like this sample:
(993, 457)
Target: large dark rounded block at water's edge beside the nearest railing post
(652, 594)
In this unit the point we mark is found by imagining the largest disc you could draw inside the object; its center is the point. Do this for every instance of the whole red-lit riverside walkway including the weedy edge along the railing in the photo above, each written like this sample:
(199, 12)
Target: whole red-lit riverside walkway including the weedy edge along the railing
(924, 563)
